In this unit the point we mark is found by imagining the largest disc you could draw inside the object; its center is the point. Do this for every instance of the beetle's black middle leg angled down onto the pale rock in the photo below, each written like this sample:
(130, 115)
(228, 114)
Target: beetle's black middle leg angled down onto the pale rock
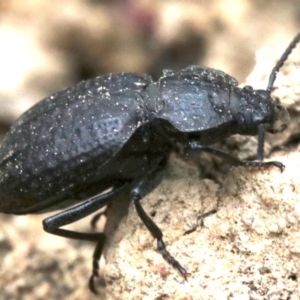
(147, 184)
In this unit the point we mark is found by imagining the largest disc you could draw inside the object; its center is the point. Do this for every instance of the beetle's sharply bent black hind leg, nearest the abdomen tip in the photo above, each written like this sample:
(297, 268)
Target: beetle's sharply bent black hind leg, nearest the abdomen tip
(53, 224)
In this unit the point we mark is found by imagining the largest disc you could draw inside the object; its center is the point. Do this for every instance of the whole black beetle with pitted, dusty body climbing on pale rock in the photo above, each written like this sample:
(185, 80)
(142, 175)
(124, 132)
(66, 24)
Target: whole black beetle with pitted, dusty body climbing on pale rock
(117, 131)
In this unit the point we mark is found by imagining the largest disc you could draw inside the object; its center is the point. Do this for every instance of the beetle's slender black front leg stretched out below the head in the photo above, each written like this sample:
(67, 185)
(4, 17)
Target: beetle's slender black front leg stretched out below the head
(234, 160)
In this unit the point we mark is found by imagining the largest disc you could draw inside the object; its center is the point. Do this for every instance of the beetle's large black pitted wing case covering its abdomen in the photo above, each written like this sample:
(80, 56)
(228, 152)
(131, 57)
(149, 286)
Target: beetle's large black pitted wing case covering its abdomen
(83, 126)
